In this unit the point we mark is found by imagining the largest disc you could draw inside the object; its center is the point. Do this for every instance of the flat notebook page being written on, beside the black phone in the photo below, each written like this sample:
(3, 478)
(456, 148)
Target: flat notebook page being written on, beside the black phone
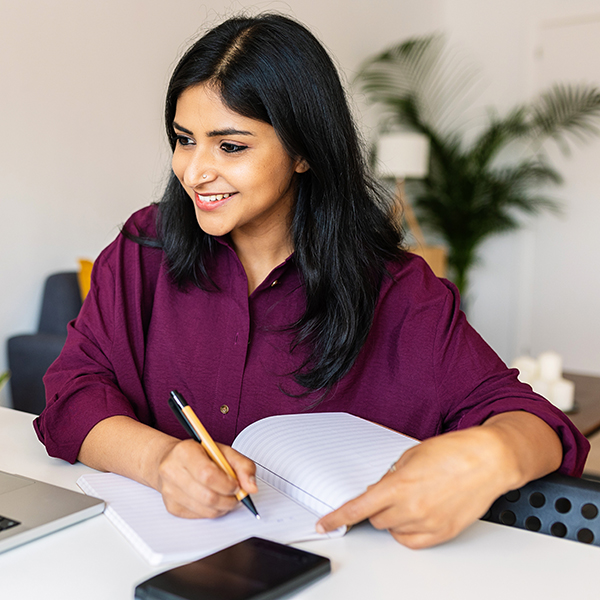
(140, 515)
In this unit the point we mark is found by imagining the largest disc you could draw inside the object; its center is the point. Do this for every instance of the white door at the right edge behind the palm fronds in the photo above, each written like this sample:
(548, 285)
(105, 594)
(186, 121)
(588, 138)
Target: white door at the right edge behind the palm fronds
(567, 250)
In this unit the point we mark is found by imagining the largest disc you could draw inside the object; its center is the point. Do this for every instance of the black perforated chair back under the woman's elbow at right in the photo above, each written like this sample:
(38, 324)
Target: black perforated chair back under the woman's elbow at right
(556, 505)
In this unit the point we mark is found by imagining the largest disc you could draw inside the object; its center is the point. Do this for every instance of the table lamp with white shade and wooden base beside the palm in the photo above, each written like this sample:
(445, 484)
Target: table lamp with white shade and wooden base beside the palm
(403, 155)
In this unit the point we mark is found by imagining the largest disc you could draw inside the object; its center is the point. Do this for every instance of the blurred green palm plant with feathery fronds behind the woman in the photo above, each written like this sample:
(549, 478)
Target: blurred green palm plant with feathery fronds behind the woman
(480, 179)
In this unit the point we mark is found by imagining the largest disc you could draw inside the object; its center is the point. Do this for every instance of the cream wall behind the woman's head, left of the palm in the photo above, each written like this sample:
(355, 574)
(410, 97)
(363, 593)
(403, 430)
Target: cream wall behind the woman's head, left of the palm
(82, 143)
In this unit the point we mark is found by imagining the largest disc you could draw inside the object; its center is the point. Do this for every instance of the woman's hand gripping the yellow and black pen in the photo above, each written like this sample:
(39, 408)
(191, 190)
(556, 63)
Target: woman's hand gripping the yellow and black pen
(193, 486)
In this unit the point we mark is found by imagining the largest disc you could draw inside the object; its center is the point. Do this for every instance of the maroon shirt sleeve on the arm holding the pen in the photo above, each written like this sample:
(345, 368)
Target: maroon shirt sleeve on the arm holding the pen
(99, 372)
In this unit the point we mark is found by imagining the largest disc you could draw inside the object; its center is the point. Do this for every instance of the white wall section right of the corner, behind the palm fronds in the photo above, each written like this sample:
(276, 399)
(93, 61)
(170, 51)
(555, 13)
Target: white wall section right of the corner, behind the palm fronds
(536, 290)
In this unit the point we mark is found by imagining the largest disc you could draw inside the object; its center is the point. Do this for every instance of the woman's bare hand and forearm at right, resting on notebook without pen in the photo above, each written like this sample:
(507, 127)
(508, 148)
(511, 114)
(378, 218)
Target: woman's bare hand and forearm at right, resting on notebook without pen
(439, 487)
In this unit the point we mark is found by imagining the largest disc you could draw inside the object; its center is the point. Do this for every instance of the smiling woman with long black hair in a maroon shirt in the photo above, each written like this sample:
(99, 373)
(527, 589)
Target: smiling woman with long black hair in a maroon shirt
(269, 280)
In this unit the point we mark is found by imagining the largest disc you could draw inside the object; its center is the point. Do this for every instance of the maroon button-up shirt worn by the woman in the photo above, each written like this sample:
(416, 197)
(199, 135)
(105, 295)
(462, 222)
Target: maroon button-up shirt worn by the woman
(422, 371)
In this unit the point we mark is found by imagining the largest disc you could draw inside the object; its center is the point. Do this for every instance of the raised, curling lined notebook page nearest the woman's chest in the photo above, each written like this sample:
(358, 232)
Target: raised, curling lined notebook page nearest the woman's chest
(321, 459)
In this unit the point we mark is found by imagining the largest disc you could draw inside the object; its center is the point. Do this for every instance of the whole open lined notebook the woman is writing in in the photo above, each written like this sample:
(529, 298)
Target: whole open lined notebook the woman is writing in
(307, 465)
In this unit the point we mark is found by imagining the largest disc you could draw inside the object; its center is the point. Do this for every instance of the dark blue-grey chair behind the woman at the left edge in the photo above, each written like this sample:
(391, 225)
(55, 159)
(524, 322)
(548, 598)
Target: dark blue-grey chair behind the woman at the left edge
(29, 356)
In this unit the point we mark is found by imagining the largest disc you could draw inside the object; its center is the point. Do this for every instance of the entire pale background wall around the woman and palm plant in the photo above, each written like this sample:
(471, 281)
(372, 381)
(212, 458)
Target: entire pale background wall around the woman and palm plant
(82, 141)
